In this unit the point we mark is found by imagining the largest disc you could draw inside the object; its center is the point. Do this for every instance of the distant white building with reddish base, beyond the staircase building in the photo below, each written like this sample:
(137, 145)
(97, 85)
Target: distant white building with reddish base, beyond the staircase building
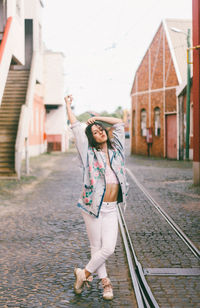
(56, 128)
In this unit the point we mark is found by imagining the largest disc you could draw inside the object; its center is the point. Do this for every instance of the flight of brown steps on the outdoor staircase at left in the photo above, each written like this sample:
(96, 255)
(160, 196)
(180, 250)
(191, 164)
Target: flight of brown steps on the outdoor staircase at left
(13, 98)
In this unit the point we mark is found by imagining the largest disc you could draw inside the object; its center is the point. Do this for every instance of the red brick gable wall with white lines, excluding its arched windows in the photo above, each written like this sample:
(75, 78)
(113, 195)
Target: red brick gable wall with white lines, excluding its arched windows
(165, 101)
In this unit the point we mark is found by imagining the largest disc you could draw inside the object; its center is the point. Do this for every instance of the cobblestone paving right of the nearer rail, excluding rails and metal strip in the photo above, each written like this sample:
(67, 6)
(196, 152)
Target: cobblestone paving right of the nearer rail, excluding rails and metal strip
(155, 242)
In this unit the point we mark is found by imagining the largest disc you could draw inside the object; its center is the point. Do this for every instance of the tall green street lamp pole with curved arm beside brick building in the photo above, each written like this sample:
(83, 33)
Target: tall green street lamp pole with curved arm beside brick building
(187, 92)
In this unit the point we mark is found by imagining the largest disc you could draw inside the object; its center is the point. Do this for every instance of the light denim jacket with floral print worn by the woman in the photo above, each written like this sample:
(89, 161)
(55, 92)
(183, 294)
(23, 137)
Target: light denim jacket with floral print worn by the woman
(94, 184)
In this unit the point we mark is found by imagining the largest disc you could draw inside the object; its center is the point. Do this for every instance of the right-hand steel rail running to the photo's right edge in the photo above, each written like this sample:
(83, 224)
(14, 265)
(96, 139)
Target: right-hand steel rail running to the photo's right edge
(170, 221)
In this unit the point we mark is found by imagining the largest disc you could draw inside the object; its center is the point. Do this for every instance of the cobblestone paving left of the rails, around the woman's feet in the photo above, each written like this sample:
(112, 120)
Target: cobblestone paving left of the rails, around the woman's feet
(43, 237)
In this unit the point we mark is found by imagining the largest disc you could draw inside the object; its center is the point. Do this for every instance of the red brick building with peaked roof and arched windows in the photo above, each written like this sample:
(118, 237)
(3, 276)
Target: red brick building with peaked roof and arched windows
(153, 96)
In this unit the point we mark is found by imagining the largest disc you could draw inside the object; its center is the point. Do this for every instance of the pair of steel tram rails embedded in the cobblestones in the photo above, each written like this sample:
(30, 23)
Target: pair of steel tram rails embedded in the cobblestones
(143, 293)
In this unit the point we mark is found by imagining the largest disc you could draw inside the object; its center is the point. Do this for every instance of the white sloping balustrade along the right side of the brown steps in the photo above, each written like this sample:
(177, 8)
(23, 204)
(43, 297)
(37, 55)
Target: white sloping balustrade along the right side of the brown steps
(24, 120)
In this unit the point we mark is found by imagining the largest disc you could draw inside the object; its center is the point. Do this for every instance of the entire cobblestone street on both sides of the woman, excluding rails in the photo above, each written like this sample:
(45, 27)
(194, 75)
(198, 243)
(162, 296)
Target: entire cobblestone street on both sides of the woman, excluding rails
(43, 236)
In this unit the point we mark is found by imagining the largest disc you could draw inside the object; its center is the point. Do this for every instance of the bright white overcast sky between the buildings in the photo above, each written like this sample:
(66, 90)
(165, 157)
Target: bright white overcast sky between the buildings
(104, 42)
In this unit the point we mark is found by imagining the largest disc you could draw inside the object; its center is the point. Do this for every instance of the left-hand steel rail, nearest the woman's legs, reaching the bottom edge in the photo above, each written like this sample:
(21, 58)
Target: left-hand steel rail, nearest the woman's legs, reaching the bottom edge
(144, 296)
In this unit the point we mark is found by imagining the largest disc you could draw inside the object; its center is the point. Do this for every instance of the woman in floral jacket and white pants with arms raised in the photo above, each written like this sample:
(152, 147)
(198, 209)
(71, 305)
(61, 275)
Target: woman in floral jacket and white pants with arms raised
(104, 185)
